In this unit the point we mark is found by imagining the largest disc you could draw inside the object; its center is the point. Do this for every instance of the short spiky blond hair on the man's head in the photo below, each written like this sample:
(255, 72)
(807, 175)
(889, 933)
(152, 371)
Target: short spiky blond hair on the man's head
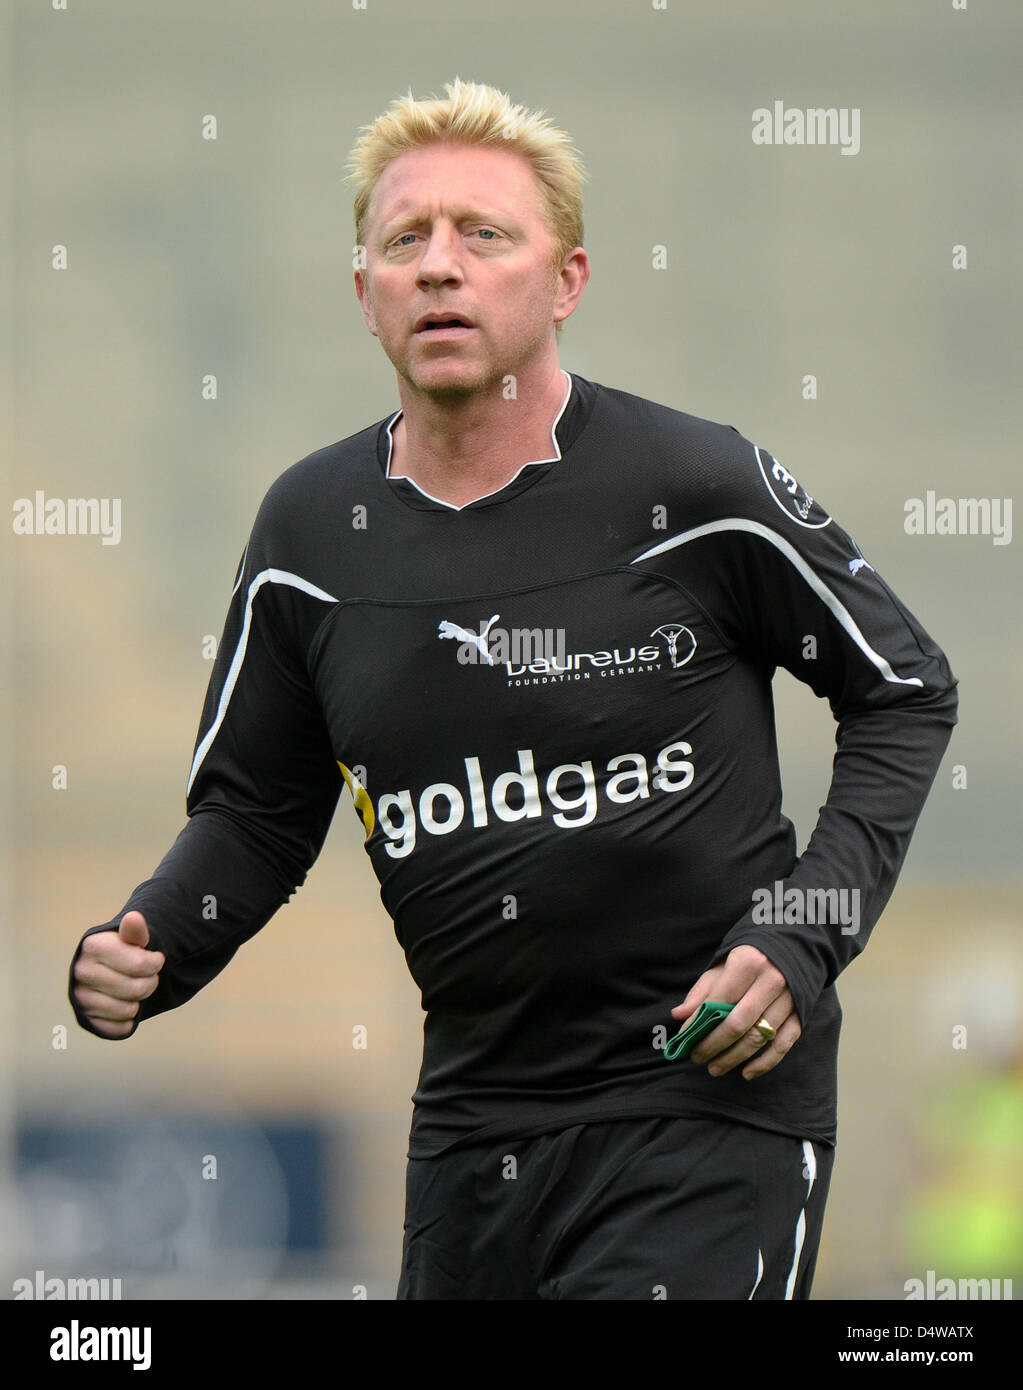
(475, 115)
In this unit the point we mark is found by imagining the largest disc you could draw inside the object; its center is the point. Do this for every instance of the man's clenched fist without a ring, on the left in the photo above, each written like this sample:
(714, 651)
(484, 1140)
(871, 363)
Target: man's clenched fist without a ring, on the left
(115, 972)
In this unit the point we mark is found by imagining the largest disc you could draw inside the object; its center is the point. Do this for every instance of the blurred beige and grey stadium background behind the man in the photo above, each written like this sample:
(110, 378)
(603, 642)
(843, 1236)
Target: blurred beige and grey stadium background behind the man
(233, 256)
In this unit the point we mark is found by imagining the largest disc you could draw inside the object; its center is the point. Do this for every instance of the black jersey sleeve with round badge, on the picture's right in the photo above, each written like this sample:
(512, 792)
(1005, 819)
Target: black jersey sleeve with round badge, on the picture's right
(789, 587)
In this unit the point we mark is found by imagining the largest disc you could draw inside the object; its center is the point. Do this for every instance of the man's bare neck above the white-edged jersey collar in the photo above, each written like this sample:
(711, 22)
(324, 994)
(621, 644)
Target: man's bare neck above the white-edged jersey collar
(468, 450)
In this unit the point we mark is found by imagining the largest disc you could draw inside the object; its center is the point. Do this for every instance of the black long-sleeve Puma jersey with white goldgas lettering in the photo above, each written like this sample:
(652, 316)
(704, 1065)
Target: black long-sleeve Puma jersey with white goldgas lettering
(554, 711)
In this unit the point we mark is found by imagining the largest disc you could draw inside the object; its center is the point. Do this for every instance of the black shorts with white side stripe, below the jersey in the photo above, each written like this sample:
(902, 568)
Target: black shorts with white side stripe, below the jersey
(657, 1209)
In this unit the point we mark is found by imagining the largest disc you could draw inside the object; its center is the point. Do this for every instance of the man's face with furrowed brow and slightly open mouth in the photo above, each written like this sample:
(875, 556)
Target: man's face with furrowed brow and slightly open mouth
(459, 231)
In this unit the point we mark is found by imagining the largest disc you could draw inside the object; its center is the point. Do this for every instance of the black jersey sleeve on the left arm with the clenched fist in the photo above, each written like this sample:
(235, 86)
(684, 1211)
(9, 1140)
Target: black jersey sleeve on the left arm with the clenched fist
(262, 789)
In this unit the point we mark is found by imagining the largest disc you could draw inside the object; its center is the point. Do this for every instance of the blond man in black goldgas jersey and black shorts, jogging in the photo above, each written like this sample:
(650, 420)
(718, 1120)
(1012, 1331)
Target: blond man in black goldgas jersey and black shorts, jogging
(568, 837)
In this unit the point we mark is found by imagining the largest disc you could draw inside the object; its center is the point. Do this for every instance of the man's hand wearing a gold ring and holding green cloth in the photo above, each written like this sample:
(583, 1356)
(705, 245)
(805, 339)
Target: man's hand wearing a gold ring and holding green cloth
(758, 990)
